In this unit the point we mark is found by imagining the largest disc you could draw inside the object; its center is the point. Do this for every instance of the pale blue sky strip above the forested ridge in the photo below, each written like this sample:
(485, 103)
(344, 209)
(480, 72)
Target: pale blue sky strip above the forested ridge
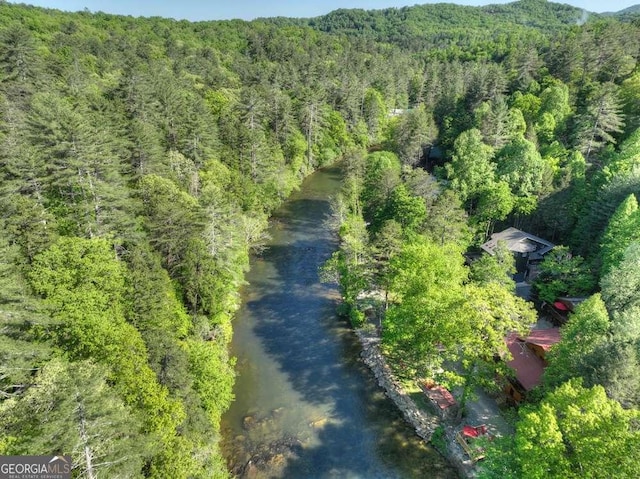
(196, 10)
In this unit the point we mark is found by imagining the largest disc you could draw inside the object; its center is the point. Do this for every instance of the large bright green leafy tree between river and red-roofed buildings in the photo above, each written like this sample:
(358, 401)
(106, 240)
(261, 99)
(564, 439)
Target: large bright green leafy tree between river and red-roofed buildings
(434, 316)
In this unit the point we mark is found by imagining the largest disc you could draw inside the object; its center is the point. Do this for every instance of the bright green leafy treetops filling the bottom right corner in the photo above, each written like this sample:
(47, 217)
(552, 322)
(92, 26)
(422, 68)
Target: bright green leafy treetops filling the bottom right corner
(574, 432)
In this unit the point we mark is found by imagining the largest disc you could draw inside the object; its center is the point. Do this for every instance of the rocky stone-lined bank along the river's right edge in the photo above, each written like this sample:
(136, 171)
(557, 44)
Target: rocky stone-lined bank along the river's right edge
(425, 424)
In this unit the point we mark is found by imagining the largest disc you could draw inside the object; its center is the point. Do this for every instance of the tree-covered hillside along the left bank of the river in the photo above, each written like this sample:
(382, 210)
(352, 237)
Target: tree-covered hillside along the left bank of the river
(139, 162)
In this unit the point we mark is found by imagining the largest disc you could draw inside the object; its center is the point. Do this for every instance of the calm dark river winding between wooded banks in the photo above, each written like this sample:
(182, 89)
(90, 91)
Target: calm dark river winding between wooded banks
(306, 406)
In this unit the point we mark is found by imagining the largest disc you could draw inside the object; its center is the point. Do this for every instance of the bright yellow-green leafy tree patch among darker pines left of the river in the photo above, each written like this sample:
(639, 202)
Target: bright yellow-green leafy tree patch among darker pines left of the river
(84, 285)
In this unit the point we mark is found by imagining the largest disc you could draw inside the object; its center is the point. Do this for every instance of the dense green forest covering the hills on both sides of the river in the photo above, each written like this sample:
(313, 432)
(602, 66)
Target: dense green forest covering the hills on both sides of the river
(140, 159)
